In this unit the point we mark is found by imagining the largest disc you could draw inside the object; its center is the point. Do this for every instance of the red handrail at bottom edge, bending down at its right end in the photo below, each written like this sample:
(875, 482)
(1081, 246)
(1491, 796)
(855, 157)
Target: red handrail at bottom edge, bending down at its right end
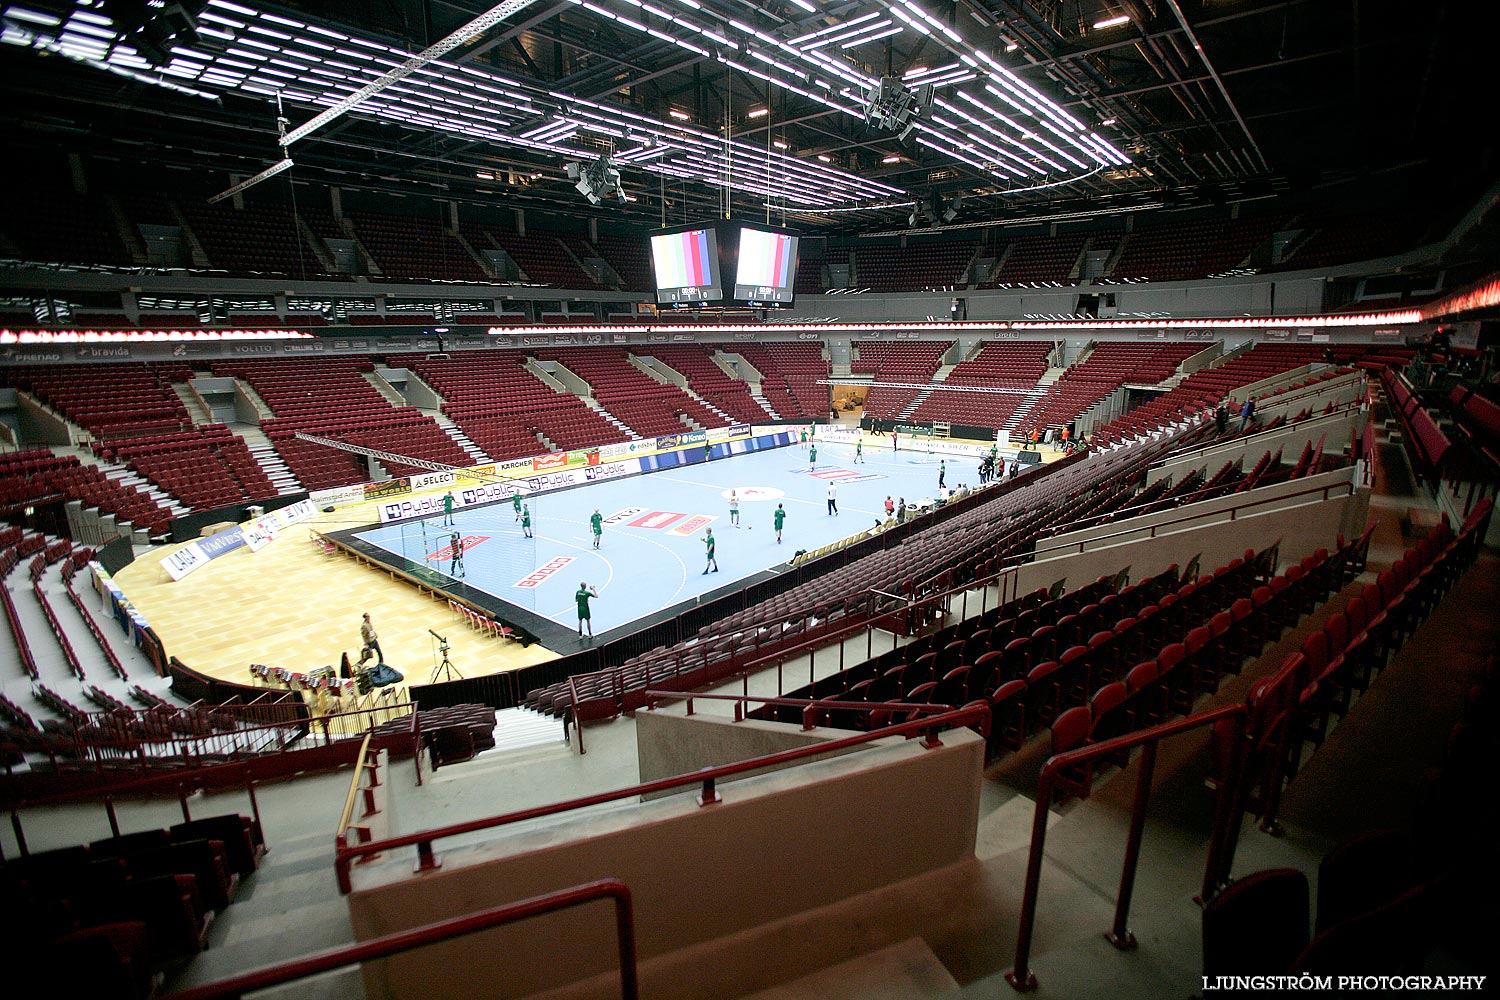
(235, 987)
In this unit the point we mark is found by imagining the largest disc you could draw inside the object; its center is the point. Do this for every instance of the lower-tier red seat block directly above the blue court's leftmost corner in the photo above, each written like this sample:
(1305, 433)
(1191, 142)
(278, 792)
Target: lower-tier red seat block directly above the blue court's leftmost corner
(332, 398)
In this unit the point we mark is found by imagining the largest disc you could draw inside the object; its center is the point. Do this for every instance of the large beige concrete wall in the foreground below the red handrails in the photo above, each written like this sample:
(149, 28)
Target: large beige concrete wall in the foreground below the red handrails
(776, 846)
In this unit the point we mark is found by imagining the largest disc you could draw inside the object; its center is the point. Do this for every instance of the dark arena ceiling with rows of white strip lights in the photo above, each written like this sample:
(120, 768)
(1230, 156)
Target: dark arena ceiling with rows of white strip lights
(1042, 109)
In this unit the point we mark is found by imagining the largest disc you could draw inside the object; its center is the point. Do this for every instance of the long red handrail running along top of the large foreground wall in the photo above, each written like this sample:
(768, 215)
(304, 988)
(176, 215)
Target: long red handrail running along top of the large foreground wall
(974, 713)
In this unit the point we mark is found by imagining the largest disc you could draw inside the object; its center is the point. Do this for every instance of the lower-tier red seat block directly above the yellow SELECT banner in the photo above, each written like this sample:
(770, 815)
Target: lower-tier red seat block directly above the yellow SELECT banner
(503, 407)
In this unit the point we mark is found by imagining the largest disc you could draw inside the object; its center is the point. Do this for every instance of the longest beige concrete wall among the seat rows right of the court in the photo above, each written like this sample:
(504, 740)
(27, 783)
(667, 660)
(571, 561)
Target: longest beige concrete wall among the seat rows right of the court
(1304, 525)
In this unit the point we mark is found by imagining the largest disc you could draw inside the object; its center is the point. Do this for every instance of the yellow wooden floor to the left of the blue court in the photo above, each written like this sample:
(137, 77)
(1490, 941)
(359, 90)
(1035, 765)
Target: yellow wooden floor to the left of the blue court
(295, 606)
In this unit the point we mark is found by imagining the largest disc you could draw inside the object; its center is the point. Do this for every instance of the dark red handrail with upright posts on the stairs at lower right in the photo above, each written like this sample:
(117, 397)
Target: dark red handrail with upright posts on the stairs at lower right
(1222, 840)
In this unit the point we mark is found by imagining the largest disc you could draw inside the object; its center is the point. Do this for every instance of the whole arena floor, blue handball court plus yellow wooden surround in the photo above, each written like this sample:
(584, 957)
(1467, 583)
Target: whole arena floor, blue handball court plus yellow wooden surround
(298, 606)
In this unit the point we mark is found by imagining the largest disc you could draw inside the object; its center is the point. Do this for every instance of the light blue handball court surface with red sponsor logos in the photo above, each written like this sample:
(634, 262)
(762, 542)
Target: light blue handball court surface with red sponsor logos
(653, 551)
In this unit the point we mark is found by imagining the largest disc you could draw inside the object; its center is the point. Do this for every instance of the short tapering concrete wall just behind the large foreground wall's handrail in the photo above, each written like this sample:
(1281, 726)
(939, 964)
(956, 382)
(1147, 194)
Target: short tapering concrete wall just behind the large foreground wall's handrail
(671, 744)
